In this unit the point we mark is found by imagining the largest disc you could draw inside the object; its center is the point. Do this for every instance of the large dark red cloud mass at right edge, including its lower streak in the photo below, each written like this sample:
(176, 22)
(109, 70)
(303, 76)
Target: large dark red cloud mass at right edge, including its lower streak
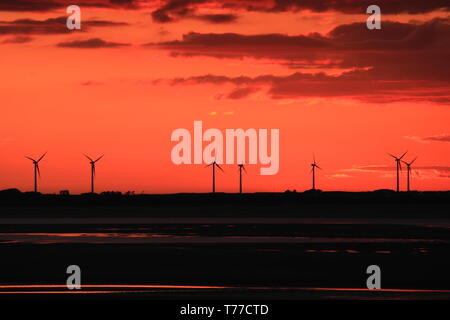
(402, 62)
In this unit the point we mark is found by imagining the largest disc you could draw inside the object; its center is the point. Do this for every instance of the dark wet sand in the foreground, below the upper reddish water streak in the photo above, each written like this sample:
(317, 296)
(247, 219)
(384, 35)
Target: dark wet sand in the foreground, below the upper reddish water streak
(268, 265)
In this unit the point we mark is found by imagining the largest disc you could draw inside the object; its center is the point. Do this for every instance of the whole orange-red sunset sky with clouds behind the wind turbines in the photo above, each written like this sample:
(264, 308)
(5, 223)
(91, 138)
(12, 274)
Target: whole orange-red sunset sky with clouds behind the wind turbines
(137, 70)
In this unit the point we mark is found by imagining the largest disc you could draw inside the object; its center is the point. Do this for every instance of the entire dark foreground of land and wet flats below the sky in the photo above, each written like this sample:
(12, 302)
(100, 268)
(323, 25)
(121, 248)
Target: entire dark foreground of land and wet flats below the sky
(274, 242)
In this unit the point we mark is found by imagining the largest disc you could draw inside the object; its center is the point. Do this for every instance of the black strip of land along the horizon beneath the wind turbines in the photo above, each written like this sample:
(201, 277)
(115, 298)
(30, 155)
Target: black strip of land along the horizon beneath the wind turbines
(311, 203)
